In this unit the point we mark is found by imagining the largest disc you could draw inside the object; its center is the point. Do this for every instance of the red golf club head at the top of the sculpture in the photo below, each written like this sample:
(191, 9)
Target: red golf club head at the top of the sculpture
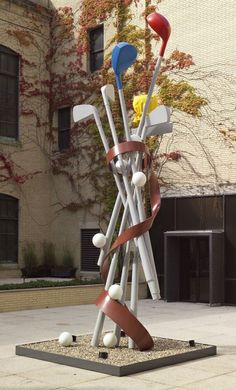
(162, 27)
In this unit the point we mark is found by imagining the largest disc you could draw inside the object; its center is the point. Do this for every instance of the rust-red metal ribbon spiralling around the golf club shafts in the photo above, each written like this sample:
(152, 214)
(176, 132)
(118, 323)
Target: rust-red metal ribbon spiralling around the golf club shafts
(119, 313)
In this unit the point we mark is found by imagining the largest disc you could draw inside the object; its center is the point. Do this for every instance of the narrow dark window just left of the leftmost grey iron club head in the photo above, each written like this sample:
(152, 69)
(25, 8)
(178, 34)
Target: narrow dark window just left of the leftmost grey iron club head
(64, 123)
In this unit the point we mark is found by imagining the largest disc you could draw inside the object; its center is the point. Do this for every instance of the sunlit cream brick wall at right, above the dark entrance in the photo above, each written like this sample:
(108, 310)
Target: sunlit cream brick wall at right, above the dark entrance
(206, 30)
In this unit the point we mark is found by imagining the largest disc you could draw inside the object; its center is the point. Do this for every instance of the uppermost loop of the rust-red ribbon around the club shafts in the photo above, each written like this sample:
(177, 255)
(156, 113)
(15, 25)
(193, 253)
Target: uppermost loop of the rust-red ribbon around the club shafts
(125, 147)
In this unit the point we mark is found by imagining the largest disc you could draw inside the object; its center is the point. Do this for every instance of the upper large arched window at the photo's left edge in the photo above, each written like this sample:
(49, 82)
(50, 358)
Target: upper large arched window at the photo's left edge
(9, 68)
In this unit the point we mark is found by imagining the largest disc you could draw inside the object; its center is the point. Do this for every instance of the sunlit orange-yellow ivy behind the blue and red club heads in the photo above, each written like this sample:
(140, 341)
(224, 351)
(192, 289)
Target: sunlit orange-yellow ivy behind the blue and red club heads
(178, 94)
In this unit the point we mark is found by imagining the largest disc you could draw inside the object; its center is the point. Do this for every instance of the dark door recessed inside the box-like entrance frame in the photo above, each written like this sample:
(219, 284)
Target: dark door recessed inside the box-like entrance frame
(194, 269)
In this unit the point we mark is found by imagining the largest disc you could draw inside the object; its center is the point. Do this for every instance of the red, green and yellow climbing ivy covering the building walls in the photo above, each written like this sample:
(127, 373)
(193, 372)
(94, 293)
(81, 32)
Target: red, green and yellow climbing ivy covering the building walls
(69, 84)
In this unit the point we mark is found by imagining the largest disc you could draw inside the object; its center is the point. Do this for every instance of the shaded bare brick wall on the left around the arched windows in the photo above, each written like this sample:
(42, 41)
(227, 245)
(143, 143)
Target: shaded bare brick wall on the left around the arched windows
(41, 198)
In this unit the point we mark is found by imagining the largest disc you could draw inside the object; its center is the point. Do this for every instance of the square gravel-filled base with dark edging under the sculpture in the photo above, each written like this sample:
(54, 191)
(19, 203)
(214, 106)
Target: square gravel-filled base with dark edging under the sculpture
(121, 360)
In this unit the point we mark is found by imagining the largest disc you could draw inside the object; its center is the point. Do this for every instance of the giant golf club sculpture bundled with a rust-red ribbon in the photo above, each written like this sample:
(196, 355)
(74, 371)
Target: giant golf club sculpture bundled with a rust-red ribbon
(129, 178)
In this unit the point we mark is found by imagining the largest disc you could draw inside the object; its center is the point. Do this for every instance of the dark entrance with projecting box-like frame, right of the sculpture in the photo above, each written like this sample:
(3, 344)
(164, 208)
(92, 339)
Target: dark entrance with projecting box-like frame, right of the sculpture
(194, 266)
